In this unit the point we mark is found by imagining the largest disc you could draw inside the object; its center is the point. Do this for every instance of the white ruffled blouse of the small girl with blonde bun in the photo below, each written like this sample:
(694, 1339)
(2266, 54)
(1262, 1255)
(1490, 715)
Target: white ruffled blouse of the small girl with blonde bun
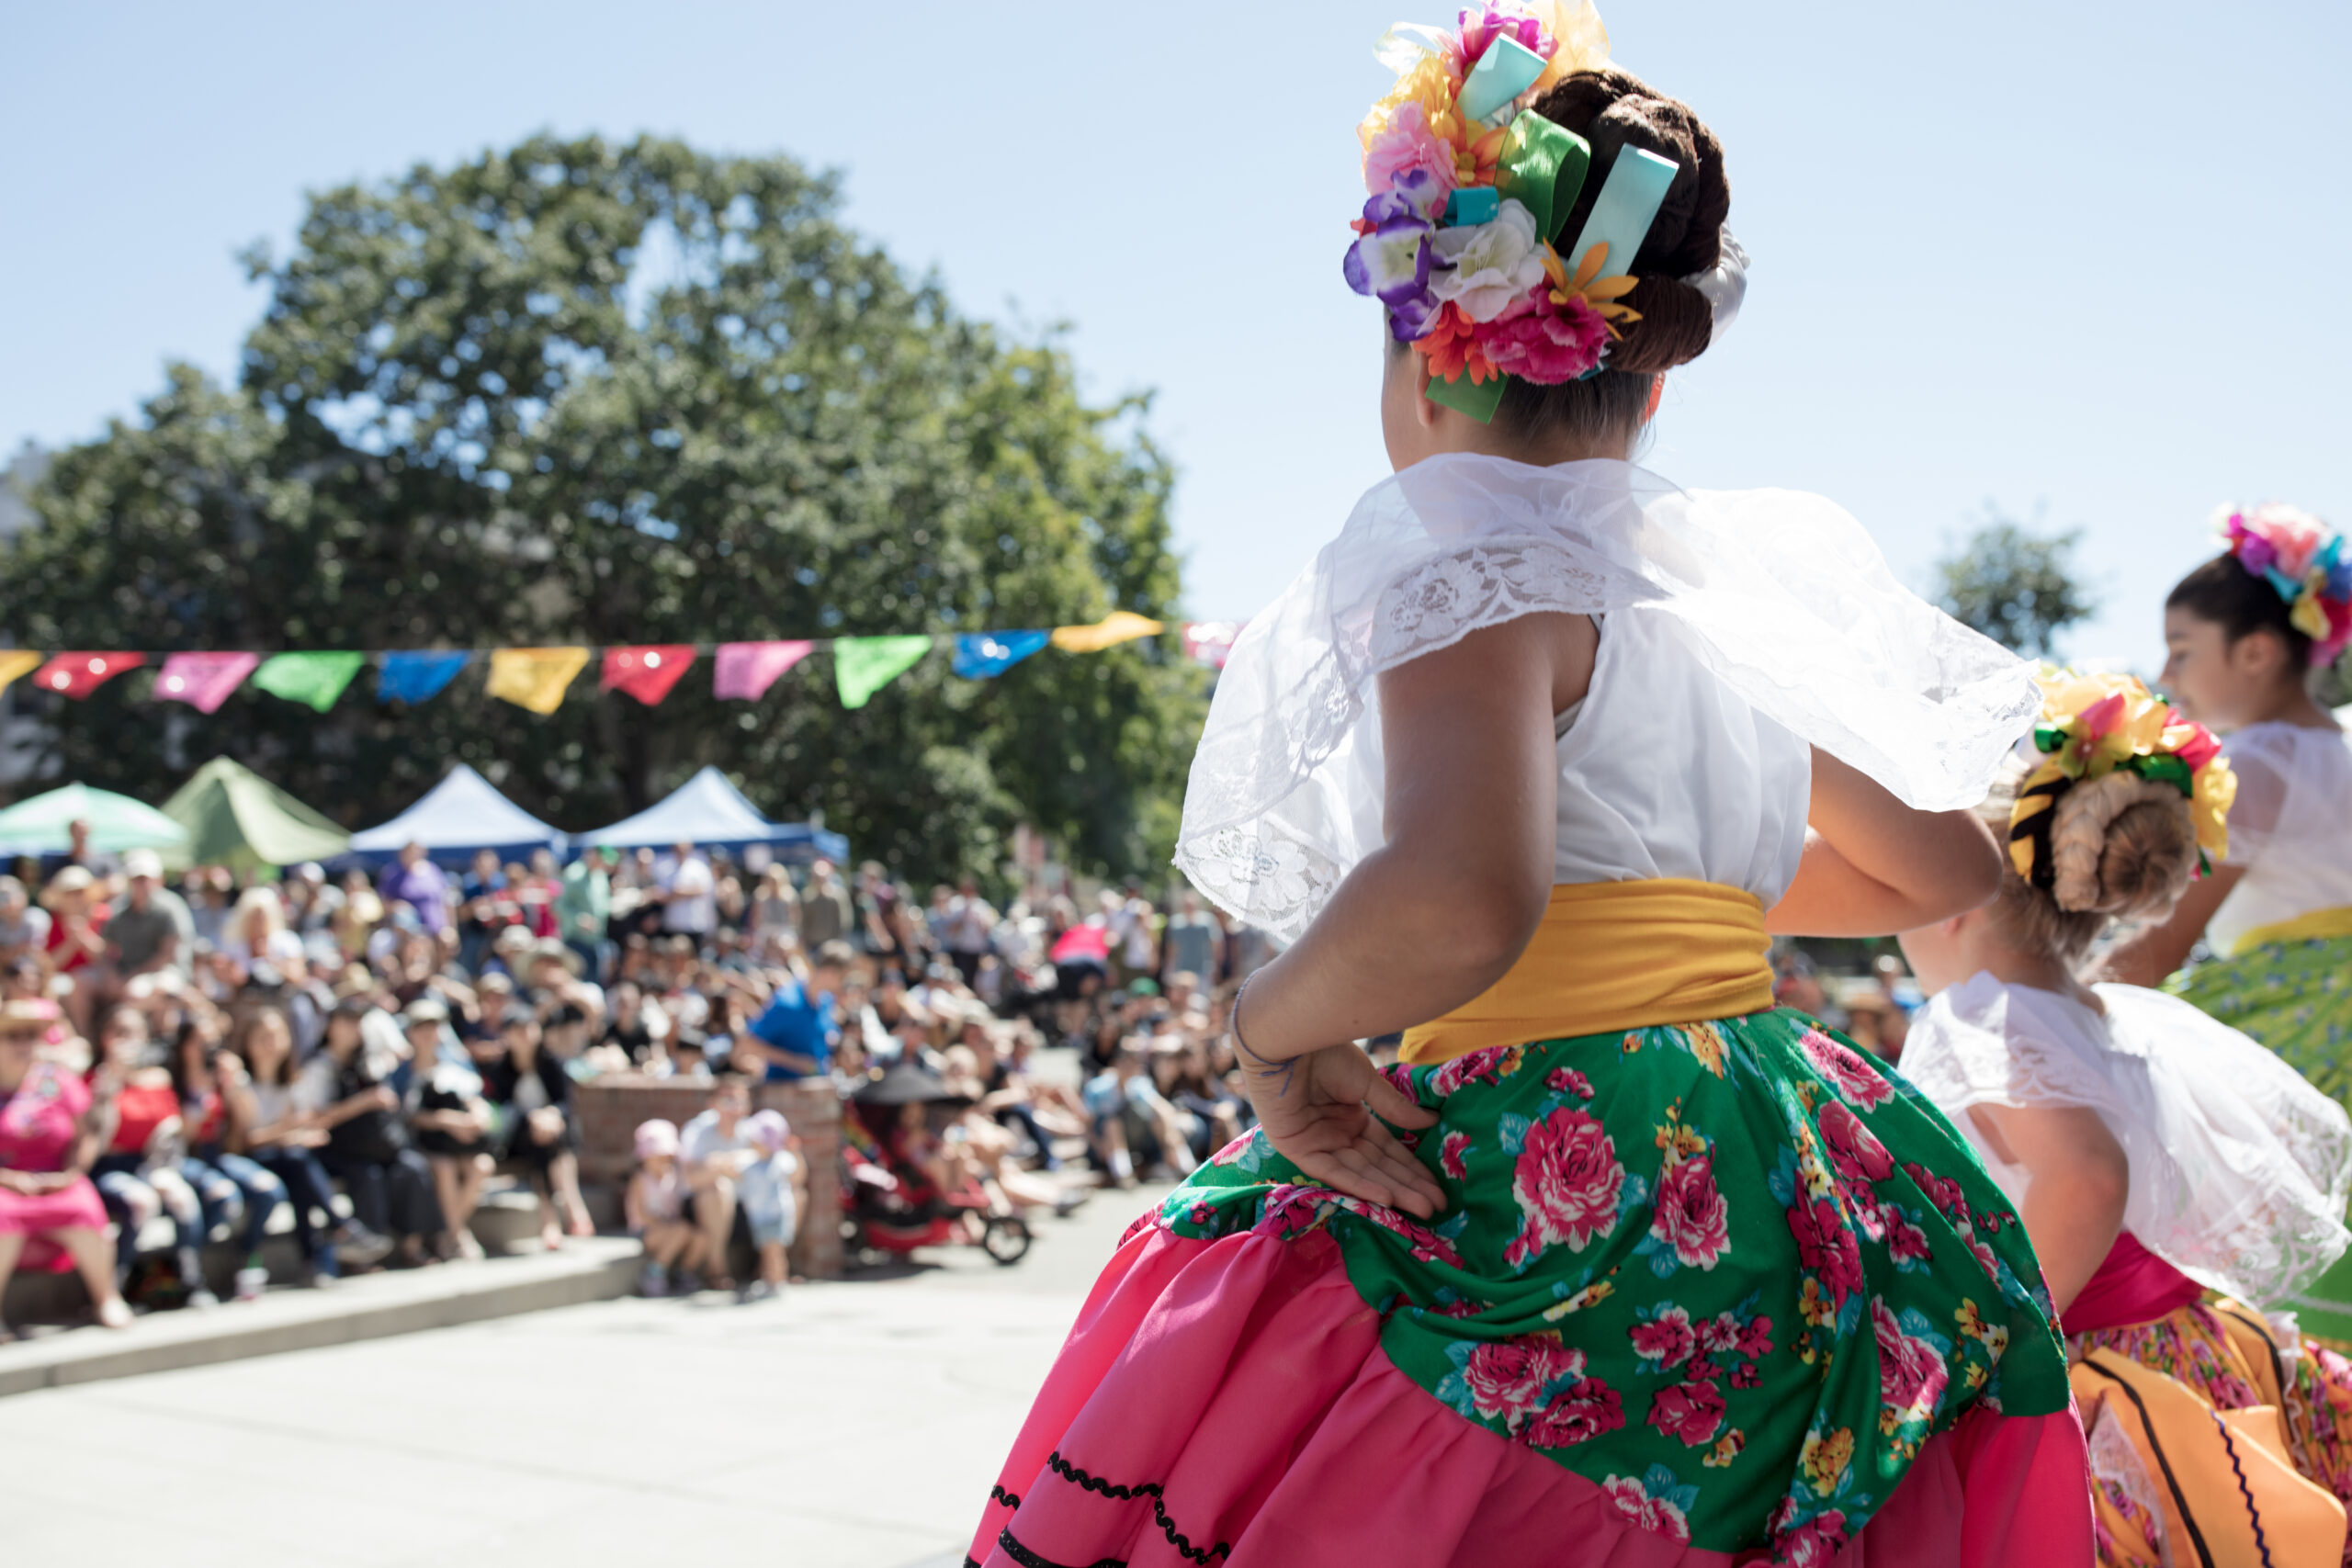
(2238, 1167)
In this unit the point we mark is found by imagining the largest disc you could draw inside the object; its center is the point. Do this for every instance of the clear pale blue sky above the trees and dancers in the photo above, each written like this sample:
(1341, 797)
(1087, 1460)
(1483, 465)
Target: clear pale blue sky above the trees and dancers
(2069, 253)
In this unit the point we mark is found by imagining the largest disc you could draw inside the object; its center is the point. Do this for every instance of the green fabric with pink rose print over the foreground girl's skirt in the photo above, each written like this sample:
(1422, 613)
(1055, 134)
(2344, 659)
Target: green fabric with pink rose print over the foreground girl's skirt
(1730, 1273)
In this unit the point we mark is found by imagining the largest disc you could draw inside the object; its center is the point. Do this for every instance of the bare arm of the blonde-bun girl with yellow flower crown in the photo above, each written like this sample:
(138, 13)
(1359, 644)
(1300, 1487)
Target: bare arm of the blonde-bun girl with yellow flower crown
(2076, 1202)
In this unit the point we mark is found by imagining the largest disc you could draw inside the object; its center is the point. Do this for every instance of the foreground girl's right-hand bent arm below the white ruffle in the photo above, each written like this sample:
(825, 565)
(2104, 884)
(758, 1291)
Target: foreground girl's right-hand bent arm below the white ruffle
(1876, 866)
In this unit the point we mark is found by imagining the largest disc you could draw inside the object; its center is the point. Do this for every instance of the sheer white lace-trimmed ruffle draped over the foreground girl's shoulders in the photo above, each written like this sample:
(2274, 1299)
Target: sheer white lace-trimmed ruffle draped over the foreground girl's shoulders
(1786, 601)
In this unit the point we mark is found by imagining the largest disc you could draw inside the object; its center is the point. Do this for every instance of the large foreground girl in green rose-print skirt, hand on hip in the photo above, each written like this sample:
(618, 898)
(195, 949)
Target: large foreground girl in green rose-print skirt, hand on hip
(1624, 1266)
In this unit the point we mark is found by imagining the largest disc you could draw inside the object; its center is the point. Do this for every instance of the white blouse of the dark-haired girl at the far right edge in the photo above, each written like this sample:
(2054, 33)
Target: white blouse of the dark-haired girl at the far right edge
(2292, 829)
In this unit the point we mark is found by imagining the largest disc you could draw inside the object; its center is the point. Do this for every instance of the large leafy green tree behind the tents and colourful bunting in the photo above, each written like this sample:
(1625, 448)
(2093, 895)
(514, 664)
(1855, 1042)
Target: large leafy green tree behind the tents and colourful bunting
(632, 394)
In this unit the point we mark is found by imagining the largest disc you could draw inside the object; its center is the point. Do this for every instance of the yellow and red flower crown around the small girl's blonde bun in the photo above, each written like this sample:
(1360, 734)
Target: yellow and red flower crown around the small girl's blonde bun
(2113, 737)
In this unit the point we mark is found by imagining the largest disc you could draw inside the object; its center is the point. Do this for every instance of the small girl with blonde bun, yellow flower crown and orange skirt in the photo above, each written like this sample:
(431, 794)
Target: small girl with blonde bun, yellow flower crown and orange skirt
(2151, 1151)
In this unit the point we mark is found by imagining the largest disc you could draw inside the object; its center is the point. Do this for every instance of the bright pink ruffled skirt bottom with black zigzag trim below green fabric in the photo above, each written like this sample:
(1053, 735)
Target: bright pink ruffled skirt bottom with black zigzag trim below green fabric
(1227, 1405)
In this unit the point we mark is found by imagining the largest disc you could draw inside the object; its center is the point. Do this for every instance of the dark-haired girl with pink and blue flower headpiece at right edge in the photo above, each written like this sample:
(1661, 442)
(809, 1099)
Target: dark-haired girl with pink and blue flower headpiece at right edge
(2245, 634)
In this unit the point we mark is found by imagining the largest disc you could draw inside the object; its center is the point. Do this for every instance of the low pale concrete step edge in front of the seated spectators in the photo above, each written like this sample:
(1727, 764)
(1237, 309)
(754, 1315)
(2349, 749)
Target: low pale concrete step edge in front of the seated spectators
(366, 1308)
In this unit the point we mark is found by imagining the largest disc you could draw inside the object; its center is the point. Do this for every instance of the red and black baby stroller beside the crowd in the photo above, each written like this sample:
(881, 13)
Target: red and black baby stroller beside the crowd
(890, 1202)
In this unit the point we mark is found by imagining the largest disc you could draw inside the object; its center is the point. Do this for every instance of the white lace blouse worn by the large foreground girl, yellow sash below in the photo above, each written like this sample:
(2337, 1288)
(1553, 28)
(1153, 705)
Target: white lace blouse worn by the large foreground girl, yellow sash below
(1742, 629)
